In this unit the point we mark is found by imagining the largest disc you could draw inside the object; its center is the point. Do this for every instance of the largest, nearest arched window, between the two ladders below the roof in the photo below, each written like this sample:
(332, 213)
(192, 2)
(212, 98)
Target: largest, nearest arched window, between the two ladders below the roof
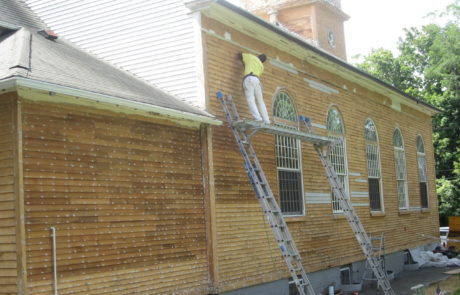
(288, 158)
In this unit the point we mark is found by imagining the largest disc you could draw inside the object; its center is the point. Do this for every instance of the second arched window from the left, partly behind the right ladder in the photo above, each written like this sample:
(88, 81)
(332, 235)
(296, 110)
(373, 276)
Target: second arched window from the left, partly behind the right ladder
(337, 152)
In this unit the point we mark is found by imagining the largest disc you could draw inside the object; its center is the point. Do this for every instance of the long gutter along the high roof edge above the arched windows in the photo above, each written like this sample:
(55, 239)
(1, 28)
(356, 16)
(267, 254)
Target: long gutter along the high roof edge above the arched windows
(318, 51)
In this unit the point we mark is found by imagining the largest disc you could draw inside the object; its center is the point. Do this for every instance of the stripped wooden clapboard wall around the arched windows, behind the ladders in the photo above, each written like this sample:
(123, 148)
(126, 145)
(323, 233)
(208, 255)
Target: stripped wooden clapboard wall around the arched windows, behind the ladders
(246, 250)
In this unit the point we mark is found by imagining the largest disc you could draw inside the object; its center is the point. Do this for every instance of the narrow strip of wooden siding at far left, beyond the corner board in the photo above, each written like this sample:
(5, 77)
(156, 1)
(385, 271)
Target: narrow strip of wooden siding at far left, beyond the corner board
(8, 206)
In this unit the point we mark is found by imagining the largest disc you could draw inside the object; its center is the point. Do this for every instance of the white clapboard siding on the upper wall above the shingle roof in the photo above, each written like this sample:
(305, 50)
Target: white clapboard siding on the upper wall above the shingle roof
(151, 39)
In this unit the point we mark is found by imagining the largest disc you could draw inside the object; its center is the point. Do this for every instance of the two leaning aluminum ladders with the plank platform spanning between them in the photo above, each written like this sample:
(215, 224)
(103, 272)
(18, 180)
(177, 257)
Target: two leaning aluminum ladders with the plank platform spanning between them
(243, 131)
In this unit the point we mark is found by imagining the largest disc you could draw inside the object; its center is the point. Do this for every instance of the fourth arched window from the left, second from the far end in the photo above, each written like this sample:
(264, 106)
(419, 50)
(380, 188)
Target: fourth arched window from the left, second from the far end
(400, 163)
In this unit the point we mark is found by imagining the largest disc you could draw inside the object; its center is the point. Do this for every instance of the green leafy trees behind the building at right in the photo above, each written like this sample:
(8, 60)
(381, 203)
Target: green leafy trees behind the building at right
(428, 68)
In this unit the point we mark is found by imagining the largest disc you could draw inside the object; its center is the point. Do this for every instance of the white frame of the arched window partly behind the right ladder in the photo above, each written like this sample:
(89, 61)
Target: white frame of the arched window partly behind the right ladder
(333, 158)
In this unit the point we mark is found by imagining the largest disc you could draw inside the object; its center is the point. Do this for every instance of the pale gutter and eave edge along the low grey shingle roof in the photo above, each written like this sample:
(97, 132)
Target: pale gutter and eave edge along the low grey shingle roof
(14, 82)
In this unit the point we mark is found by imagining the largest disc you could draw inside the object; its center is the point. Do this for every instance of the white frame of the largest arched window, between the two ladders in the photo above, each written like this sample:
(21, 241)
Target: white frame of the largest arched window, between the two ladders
(288, 123)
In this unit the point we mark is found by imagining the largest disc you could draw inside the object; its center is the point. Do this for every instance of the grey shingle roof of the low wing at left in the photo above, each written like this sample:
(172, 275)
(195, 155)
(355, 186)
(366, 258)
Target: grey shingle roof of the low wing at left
(26, 53)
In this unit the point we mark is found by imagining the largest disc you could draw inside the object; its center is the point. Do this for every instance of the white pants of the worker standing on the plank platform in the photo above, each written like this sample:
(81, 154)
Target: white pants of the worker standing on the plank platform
(253, 91)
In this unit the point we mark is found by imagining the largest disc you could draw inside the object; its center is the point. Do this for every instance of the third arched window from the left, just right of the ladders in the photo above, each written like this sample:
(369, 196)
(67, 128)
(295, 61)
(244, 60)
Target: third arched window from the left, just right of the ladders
(373, 165)
